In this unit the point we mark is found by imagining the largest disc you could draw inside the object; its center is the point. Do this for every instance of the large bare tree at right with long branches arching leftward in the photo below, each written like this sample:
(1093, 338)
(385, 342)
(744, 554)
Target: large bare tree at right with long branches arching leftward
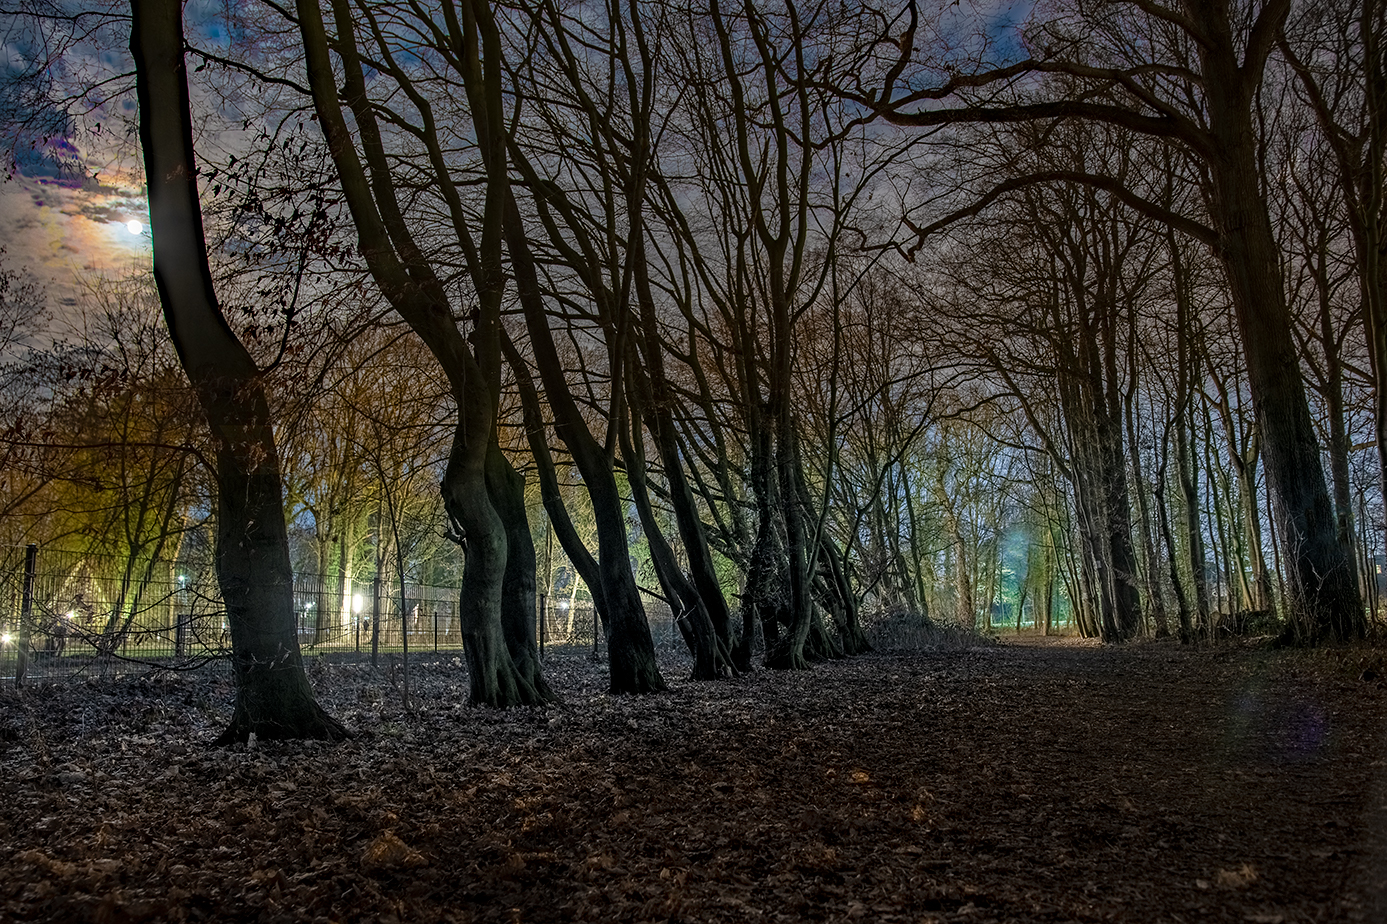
(1188, 76)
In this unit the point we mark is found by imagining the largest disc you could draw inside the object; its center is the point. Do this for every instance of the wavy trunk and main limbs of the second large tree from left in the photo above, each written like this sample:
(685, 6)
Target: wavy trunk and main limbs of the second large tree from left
(406, 277)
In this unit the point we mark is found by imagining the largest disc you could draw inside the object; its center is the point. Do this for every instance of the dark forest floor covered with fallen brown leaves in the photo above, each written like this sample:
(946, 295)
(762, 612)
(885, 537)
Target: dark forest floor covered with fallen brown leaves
(1035, 782)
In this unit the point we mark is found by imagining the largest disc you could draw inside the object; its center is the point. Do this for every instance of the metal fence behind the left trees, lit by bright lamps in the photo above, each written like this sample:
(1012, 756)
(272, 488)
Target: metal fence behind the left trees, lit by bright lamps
(66, 614)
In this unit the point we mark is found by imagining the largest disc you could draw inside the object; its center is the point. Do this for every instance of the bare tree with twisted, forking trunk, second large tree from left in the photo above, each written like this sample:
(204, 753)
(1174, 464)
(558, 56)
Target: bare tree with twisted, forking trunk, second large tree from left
(482, 493)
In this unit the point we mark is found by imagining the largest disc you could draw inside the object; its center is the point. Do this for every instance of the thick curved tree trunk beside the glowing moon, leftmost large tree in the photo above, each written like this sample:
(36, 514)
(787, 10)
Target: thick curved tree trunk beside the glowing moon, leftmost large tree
(274, 699)
